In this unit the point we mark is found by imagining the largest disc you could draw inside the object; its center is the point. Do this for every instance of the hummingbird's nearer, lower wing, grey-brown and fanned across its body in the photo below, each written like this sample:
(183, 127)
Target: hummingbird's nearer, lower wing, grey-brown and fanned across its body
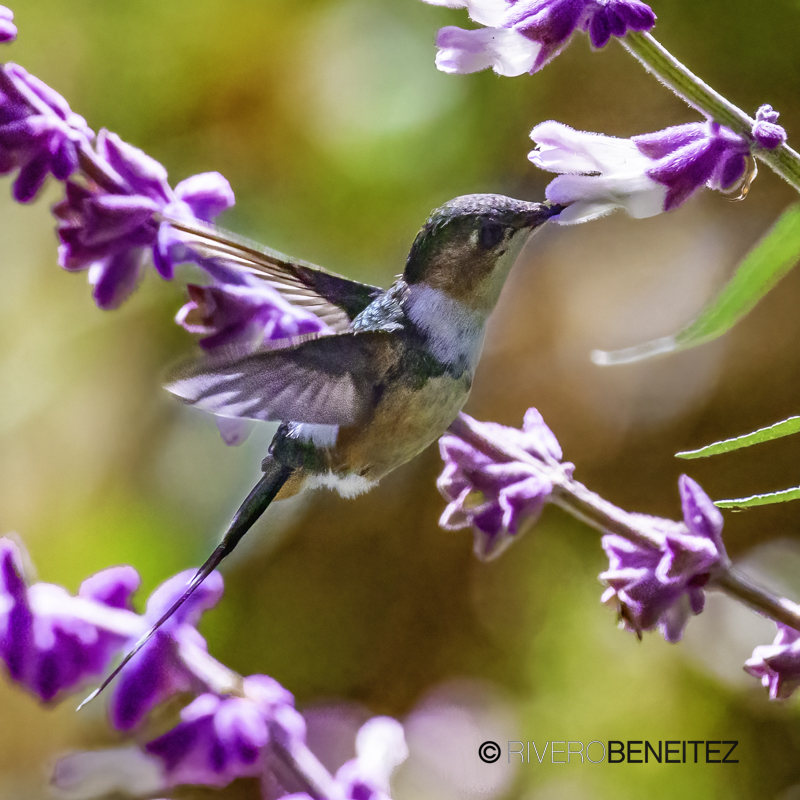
(329, 381)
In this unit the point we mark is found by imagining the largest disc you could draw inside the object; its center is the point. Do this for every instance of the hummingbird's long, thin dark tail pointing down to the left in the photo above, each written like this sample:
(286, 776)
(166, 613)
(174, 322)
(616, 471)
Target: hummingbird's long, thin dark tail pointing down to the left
(254, 505)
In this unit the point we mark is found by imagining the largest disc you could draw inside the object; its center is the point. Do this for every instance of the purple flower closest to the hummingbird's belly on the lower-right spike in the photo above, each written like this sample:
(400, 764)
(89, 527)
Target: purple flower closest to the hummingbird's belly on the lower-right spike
(500, 500)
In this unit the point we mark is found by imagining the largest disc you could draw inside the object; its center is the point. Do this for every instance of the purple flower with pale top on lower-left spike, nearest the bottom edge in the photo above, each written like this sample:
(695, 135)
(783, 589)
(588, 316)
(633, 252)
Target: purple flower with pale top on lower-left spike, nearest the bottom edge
(220, 739)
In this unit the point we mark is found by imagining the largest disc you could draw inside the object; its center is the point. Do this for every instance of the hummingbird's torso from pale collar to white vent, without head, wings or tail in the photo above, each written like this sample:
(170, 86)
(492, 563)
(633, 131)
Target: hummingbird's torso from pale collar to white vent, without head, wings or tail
(428, 362)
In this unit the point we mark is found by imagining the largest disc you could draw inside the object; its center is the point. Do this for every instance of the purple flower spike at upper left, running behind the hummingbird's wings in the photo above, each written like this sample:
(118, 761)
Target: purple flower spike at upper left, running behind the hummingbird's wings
(115, 217)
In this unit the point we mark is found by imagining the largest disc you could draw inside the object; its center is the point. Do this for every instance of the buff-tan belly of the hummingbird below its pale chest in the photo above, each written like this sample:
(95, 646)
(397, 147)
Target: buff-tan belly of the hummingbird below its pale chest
(403, 424)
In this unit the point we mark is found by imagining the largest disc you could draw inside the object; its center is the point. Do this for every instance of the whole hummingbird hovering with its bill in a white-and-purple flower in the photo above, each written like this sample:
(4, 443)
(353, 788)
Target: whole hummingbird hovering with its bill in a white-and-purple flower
(391, 376)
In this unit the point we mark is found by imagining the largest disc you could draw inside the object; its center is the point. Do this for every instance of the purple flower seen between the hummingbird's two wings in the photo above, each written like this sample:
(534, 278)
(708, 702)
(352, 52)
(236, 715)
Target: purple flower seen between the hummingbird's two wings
(247, 315)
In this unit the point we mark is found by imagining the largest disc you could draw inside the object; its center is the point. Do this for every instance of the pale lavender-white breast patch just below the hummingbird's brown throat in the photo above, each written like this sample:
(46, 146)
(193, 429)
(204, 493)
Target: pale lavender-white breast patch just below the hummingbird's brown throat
(456, 332)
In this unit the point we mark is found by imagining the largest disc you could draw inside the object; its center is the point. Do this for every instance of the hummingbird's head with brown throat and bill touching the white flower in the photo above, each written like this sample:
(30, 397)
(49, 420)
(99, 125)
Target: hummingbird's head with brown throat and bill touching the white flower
(468, 246)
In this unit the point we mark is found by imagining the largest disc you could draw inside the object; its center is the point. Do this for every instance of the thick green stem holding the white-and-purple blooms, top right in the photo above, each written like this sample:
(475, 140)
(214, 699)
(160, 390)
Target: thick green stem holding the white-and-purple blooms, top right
(699, 95)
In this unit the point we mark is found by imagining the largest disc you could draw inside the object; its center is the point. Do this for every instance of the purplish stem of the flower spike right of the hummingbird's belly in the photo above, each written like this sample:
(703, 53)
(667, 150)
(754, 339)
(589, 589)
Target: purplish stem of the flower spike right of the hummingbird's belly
(602, 515)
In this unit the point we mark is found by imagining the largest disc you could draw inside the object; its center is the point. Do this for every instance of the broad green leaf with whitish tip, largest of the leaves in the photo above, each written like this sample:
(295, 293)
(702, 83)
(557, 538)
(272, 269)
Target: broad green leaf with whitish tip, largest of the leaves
(772, 257)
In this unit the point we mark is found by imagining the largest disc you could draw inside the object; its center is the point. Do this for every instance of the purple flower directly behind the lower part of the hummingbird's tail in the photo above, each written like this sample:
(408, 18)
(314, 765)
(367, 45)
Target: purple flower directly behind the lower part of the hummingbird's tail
(161, 670)
